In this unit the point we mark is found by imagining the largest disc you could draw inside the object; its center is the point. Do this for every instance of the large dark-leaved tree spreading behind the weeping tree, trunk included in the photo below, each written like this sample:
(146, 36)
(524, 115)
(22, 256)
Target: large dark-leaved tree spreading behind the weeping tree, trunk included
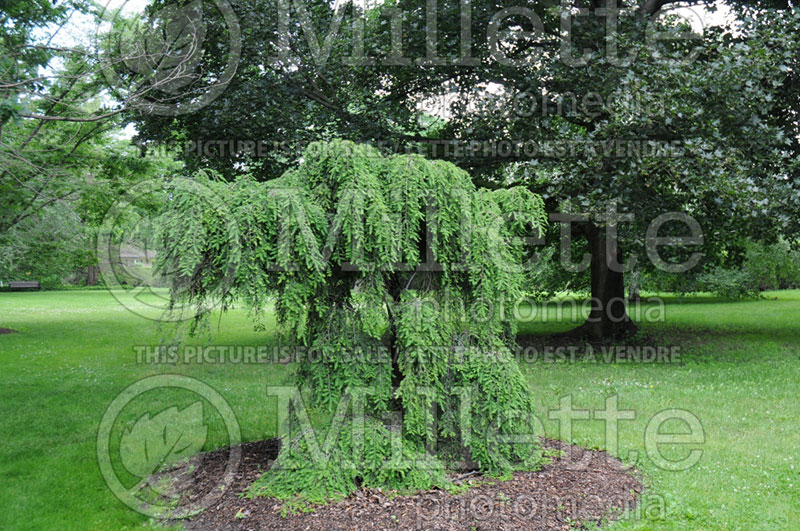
(705, 107)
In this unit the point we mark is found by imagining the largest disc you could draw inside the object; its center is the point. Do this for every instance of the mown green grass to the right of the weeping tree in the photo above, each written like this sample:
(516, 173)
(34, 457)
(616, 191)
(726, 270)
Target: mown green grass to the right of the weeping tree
(738, 372)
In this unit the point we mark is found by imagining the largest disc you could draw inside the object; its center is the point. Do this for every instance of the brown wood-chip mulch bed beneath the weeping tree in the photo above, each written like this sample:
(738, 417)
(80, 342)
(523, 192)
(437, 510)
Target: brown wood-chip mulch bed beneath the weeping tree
(578, 487)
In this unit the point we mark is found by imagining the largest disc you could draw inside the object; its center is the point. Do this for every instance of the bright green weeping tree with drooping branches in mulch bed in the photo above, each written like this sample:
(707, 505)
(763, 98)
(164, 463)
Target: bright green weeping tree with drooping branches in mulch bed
(403, 276)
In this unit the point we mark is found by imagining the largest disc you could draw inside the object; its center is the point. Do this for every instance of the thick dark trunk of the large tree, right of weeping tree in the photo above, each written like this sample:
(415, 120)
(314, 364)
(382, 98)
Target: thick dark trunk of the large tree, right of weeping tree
(608, 318)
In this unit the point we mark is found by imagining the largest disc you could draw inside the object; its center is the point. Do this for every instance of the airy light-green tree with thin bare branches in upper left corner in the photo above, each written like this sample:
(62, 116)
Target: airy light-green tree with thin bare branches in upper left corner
(59, 102)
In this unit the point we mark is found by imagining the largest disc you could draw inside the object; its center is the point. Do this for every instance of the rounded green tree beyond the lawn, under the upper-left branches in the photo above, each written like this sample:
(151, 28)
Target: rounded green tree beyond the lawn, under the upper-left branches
(55, 242)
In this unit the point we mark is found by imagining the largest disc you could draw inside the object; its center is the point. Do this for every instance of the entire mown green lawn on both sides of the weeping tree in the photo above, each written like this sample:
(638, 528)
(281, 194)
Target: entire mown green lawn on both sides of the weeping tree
(738, 373)
